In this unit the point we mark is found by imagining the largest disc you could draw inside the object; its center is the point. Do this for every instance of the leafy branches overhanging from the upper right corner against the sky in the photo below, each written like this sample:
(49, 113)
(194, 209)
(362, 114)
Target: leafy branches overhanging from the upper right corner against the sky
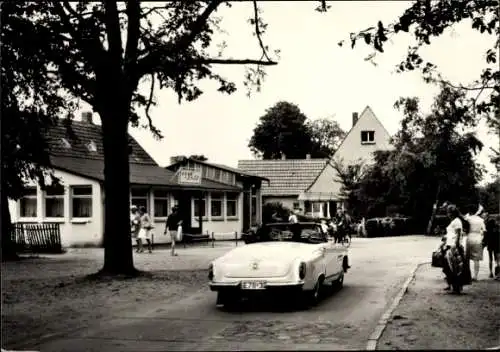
(430, 19)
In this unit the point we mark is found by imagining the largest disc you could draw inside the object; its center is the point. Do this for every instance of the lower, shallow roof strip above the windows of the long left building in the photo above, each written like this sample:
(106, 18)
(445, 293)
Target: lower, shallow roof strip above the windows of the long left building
(140, 174)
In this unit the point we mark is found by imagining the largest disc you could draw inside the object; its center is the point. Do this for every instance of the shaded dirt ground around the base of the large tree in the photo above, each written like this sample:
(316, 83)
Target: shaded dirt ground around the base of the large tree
(47, 295)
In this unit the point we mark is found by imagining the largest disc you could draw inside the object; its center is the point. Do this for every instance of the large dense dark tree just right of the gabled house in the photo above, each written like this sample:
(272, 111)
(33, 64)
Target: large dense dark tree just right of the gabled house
(432, 160)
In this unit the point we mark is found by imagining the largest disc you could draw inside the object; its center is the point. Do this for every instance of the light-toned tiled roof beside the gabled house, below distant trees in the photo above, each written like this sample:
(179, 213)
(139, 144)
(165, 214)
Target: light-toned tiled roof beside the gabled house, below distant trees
(287, 177)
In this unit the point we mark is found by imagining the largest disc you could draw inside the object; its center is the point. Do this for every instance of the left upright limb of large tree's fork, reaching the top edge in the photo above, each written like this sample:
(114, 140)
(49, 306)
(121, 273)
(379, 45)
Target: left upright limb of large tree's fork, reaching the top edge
(113, 32)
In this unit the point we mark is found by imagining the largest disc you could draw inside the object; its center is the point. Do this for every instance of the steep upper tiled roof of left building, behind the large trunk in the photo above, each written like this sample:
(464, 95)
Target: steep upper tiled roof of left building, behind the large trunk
(80, 135)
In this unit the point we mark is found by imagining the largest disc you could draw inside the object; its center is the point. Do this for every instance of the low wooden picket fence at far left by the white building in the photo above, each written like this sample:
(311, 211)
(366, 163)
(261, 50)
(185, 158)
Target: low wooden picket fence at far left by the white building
(37, 238)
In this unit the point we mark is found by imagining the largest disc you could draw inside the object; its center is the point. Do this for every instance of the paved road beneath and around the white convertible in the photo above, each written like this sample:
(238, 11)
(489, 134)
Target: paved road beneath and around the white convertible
(342, 321)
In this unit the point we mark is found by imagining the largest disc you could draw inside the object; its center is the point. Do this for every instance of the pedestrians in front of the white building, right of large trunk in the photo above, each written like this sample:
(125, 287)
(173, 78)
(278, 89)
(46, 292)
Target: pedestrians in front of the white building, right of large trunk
(141, 228)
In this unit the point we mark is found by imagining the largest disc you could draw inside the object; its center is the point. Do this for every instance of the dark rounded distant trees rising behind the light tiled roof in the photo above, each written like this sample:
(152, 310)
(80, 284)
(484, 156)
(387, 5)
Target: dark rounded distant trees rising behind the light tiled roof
(285, 130)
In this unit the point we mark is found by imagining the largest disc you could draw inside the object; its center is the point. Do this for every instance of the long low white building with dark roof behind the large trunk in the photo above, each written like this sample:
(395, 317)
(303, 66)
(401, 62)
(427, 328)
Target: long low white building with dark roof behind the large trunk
(229, 199)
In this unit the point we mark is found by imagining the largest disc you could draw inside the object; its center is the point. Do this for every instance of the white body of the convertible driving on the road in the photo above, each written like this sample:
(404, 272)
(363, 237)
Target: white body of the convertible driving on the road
(276, 264)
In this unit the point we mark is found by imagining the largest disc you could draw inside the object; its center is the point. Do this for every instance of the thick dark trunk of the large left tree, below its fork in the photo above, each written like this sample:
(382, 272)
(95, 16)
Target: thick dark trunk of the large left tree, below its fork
(118, 257)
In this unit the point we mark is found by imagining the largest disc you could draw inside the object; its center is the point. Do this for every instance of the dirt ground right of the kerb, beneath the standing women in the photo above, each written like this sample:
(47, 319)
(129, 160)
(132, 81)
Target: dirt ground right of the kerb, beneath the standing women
(430, 318)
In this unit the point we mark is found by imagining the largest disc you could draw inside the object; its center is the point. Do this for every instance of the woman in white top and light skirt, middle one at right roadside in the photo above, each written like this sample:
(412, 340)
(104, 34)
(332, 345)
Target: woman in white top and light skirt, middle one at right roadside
(474, 239)
